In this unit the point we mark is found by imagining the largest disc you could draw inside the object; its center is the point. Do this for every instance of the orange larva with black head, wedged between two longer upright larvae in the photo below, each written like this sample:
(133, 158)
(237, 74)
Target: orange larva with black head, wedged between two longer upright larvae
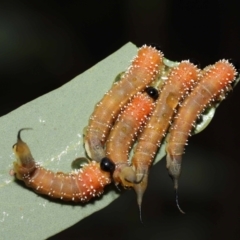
(125, 132)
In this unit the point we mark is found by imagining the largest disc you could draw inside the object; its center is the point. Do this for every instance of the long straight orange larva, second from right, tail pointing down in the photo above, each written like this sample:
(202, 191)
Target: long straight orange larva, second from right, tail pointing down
(181, 80)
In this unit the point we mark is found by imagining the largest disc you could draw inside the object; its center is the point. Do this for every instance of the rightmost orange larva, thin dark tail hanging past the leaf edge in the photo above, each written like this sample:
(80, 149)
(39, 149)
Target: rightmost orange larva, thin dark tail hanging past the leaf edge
(213, 83)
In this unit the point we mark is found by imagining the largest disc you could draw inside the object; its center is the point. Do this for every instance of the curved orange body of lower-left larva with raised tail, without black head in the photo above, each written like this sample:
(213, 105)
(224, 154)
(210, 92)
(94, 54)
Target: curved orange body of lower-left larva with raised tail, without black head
(78, 186)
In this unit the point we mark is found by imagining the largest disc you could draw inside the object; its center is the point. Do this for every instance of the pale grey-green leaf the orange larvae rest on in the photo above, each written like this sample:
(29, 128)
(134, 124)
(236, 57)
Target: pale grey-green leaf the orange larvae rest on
(57, 119)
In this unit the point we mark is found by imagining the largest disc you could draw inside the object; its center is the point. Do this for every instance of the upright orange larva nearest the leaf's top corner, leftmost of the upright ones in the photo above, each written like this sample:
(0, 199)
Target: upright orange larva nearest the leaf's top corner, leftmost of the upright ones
(144, 69)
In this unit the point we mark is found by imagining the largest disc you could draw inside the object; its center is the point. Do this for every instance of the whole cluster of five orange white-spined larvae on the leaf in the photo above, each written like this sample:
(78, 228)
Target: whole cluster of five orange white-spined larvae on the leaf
(127, 114)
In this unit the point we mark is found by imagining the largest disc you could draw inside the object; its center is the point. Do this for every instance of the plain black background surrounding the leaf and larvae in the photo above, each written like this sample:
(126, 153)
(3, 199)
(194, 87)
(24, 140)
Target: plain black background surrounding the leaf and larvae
(44, 45)
